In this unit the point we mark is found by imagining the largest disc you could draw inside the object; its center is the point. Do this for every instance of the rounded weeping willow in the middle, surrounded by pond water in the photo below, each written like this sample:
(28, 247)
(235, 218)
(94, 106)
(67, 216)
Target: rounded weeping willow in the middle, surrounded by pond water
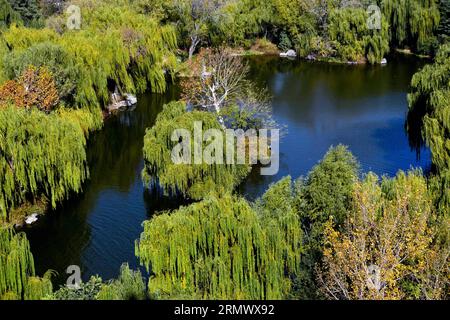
(192, 180)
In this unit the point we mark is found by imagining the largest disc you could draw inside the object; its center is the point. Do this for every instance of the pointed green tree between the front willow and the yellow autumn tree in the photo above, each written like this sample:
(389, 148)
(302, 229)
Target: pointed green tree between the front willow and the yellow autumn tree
(326, 193)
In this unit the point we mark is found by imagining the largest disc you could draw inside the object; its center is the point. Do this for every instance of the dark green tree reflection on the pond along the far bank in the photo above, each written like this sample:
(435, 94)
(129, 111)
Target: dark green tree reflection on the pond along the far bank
(344, 81)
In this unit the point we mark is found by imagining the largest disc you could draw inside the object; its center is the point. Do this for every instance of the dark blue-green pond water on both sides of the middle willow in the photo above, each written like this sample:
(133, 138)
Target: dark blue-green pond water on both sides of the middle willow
(363, 107)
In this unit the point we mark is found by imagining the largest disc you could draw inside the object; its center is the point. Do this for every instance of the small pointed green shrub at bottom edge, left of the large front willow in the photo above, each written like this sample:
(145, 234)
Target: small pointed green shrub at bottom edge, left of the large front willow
(129, 286)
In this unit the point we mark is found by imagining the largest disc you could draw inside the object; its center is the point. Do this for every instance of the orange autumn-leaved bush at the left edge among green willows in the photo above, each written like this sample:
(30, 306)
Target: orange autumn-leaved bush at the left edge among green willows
(34, 88)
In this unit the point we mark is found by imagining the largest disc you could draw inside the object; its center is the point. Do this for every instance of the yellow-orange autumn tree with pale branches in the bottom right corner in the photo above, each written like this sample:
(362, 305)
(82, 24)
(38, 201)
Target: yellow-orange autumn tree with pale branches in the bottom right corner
(388, 230)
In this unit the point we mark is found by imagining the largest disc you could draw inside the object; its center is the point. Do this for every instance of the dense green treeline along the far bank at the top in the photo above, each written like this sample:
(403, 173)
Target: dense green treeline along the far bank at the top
(333, 29)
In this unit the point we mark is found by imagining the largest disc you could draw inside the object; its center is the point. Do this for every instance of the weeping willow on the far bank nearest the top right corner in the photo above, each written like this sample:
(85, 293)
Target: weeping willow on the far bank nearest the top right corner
(412, 22)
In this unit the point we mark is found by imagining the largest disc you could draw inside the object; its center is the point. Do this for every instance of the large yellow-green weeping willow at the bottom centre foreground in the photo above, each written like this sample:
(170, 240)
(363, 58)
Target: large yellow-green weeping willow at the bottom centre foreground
(221, 248)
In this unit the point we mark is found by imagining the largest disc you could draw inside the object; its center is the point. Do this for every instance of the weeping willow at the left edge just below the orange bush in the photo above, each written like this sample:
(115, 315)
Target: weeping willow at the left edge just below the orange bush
(40, 156)
